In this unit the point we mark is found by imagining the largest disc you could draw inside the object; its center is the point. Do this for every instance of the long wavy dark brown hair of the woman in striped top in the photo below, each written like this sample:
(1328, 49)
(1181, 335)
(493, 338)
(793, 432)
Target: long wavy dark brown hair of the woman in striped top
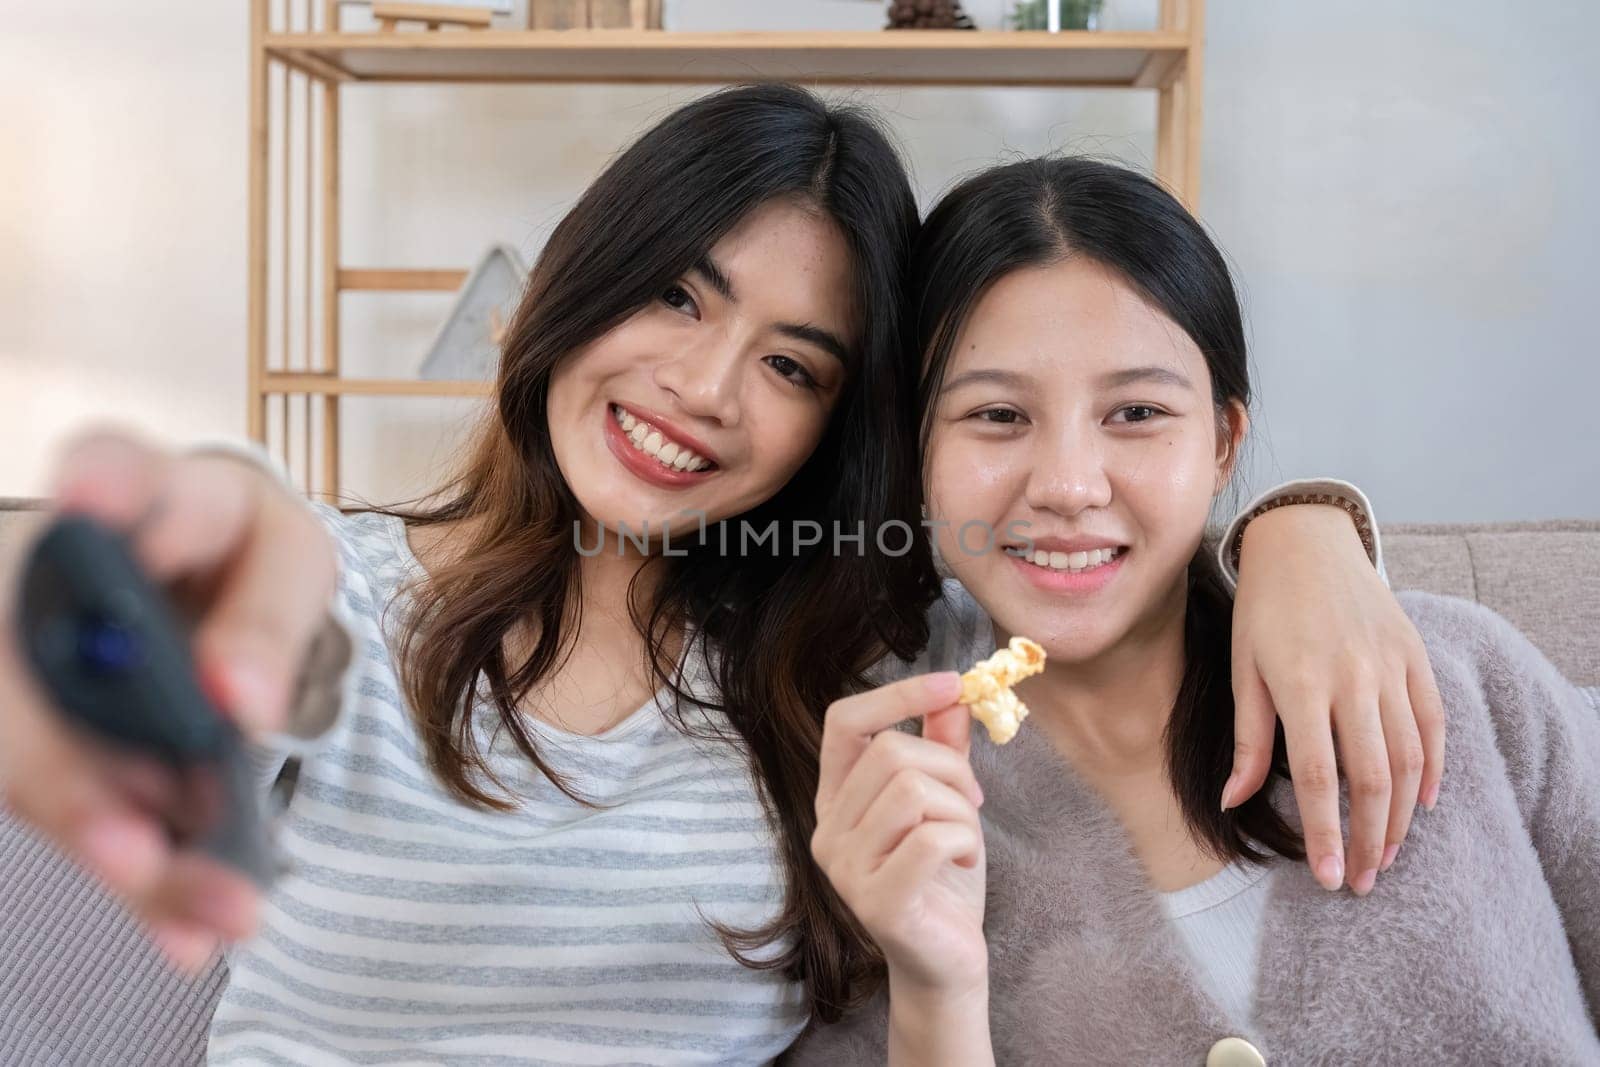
(791, 631)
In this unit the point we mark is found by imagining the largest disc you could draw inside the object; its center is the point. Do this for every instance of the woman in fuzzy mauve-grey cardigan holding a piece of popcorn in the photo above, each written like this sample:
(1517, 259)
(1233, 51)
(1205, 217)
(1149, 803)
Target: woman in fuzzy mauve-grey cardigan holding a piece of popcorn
(1079, 897)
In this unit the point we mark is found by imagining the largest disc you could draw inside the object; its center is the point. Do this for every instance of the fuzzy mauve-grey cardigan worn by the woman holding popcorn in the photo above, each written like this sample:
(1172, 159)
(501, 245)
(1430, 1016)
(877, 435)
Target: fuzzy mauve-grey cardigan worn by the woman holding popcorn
(1479, 946)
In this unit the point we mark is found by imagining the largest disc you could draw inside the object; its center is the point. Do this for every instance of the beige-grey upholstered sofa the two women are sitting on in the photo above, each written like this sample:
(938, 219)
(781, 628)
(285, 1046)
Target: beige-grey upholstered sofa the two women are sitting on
(79, 986)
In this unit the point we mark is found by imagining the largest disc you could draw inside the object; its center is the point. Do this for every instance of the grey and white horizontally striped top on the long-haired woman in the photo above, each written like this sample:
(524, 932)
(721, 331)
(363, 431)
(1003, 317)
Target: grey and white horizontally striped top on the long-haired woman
(417, 930)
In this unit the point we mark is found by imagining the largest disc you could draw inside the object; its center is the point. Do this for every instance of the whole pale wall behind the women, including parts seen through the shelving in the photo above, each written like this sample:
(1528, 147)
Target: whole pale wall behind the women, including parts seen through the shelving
(1404, 198)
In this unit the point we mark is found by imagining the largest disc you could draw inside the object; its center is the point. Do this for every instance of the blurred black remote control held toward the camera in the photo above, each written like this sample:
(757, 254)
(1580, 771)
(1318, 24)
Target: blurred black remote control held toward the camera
(114, 657)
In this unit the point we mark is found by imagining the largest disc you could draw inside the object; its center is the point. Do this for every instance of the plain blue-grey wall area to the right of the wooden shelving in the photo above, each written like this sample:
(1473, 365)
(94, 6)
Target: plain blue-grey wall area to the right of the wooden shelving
(1412, 209)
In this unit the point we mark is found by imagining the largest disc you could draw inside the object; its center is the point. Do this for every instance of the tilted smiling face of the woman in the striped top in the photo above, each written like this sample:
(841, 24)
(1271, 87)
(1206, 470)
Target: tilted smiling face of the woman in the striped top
(716, 394)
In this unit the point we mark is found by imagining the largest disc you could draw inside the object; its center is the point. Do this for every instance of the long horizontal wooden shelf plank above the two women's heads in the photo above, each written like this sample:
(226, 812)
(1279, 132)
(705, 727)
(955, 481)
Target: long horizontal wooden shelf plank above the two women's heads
(660, 57)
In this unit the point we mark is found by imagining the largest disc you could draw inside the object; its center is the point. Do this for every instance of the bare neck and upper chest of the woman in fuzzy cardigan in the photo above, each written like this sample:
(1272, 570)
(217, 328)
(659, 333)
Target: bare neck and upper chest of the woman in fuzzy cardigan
(1108, 714)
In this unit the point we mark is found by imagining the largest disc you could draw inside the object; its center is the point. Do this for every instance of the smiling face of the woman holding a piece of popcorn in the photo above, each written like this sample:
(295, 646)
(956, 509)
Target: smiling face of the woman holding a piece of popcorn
(1078, 417)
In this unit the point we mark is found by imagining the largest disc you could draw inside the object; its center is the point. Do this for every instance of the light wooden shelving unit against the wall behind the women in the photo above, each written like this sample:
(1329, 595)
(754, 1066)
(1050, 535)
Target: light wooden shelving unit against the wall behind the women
(308, 47)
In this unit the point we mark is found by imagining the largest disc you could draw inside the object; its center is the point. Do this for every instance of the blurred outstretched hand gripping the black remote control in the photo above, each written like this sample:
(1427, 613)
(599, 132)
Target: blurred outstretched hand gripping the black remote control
(255, 570)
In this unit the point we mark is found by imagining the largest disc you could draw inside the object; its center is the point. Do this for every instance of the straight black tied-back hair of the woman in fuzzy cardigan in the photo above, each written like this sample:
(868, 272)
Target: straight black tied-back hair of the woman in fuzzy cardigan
(1041, 212)
